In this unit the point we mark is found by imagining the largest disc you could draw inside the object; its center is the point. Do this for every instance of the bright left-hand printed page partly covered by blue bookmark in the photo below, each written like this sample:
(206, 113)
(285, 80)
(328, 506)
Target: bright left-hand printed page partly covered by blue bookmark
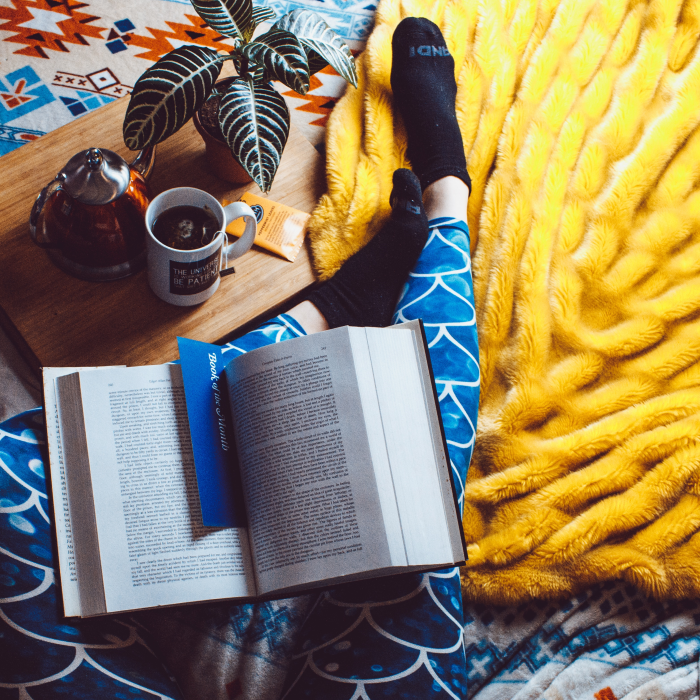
(154, 549)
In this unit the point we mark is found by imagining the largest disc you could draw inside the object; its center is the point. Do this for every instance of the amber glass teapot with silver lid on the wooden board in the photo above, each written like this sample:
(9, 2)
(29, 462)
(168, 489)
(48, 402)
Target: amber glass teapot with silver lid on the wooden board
(90, 217)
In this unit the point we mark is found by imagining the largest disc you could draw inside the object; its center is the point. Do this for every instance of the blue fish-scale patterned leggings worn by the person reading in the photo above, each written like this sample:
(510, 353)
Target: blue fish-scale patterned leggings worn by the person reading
(396, 637)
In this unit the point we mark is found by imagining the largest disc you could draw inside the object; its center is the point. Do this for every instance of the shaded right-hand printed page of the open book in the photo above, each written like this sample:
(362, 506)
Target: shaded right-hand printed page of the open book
(311, 495)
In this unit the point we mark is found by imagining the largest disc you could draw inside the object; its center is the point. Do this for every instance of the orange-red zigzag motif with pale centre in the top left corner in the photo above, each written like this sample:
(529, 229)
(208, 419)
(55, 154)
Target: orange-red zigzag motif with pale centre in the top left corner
(71, 26)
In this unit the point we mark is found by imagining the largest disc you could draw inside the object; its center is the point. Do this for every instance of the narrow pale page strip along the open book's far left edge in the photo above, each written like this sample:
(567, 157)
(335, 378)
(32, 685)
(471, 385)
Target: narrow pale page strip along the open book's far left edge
(61, 509)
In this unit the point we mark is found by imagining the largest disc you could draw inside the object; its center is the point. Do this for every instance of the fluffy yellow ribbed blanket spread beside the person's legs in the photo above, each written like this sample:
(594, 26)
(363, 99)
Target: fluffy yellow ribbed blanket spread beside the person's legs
(580, 124)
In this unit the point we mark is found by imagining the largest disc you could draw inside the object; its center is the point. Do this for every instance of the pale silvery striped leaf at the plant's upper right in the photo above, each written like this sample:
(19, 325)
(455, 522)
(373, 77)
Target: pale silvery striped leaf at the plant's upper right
(321, 43)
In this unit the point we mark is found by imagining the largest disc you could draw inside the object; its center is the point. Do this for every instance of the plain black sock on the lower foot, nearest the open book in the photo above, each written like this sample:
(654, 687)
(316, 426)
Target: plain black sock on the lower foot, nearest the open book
(365, 290)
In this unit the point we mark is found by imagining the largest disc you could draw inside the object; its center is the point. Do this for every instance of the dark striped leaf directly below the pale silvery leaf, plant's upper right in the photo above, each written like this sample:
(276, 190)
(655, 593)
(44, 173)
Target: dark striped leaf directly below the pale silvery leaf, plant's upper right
(283, 57)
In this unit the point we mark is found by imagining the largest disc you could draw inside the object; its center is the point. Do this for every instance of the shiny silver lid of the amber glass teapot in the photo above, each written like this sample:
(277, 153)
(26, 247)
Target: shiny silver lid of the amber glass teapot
(96, 176)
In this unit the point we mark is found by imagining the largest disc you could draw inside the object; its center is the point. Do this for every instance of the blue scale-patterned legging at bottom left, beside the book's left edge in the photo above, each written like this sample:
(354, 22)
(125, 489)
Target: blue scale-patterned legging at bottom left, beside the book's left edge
(45, 655)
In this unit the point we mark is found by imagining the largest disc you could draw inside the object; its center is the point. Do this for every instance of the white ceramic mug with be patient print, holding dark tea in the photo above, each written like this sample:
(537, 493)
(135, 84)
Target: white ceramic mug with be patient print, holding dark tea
(189, 277)
